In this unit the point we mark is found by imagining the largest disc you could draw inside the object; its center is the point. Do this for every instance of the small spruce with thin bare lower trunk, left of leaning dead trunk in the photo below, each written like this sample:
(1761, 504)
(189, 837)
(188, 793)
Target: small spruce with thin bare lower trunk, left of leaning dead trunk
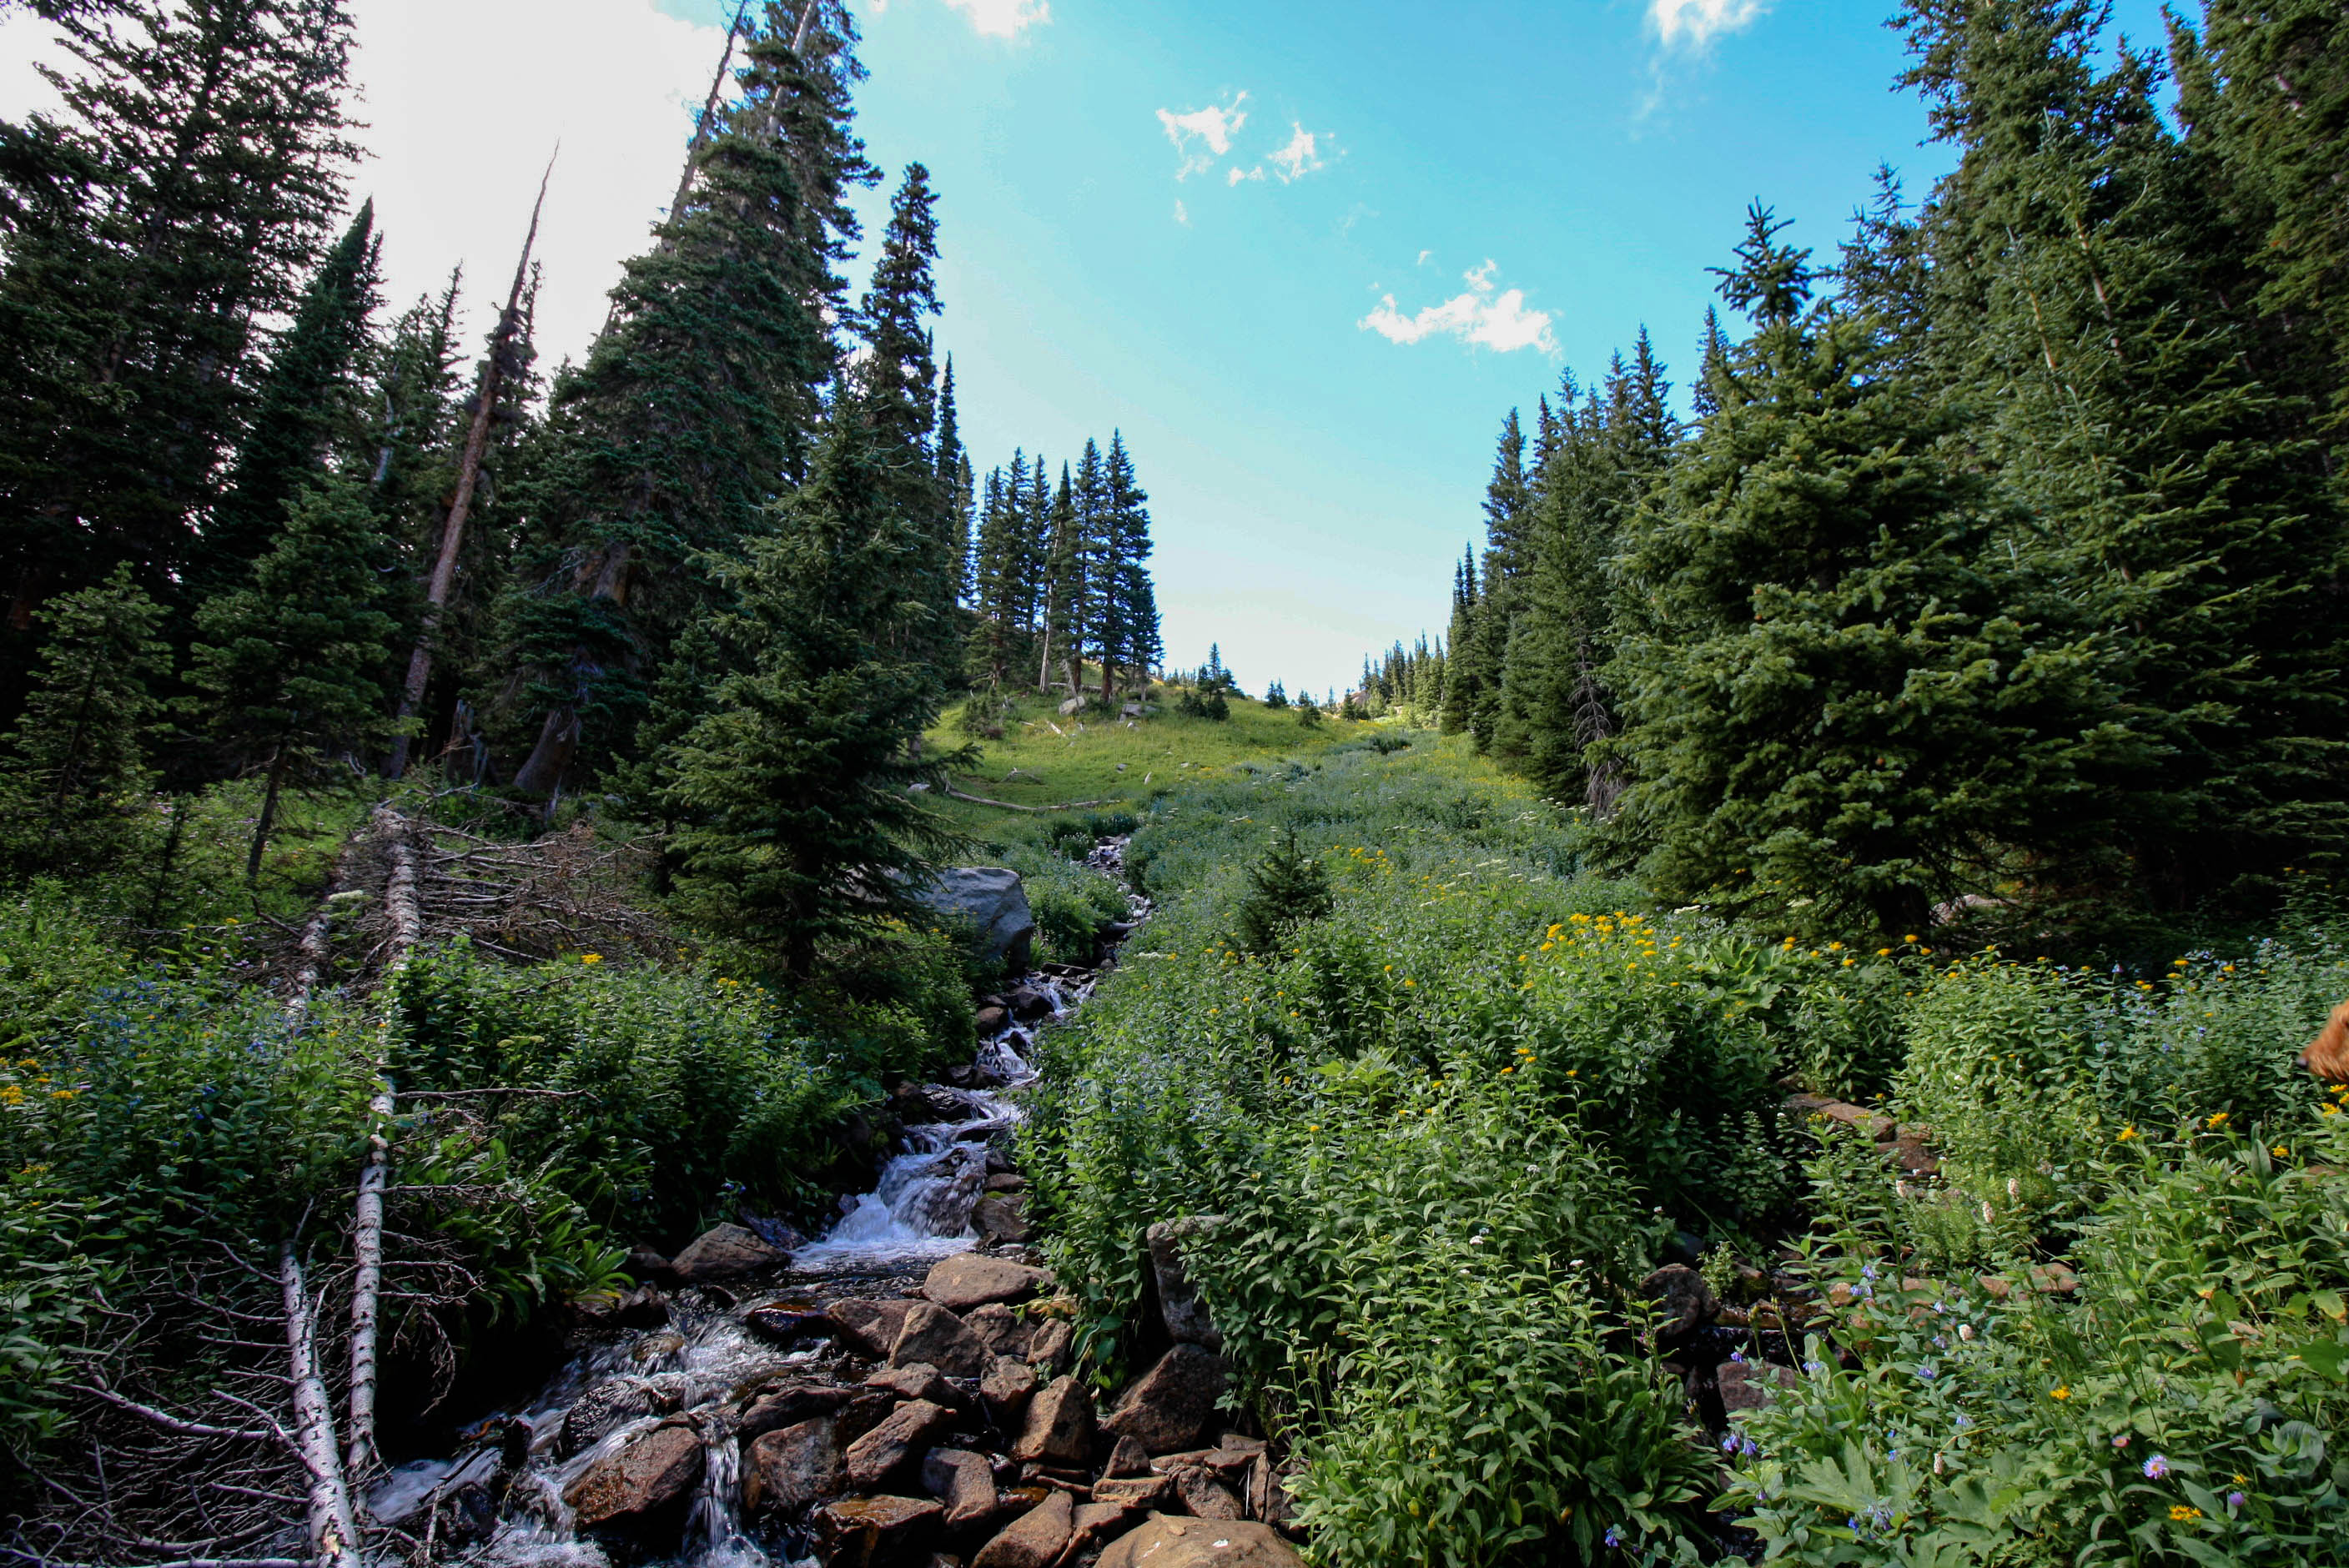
(290, 668)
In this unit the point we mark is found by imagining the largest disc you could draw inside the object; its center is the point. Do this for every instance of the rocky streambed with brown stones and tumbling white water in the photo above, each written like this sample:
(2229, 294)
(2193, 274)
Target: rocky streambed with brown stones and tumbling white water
(901, 1391)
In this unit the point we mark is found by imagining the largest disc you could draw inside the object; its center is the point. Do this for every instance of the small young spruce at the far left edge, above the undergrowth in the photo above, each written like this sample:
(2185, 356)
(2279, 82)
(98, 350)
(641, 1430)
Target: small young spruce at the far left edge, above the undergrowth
(74, 776)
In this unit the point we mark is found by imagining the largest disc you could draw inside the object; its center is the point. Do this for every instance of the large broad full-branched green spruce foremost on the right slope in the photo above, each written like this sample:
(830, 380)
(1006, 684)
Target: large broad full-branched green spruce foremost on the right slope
(1847, 705)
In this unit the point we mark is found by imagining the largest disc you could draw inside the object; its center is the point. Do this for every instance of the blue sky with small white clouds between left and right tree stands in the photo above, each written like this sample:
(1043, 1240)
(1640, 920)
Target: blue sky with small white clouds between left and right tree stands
(1314, 478)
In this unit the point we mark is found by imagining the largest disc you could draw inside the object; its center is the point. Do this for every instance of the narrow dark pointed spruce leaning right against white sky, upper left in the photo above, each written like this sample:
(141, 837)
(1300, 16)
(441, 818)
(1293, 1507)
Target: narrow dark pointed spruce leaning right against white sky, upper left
(302, 410)
